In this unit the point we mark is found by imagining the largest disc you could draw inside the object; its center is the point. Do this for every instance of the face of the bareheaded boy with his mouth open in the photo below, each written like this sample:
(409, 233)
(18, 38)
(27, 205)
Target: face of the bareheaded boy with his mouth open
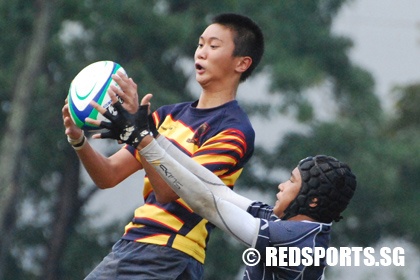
(213, 57)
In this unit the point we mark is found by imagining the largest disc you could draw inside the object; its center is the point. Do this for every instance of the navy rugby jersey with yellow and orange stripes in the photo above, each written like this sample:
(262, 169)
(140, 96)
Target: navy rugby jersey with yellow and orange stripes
(222, 140)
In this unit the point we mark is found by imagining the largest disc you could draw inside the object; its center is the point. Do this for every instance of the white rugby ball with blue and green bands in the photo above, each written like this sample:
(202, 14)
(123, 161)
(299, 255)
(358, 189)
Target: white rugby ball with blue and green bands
(91, 83)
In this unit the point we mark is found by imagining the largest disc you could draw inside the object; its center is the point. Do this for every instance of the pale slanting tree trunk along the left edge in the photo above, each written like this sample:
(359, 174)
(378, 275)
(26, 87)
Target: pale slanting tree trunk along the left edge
(15, 128)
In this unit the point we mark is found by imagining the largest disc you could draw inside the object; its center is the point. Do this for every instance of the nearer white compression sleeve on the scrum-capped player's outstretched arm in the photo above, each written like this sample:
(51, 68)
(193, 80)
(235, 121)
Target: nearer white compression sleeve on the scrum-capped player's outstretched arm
(209, 205)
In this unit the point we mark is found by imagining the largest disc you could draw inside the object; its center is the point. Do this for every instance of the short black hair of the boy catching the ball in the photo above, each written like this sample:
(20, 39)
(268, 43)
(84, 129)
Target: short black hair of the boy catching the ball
(248, 38)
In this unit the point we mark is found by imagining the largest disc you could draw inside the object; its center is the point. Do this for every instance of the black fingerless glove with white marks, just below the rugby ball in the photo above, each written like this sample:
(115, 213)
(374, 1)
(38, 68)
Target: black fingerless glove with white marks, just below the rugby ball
(125, 127)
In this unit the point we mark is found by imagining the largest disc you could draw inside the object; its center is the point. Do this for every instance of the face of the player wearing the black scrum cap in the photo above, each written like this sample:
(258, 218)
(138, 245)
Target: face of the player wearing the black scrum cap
(288, 191)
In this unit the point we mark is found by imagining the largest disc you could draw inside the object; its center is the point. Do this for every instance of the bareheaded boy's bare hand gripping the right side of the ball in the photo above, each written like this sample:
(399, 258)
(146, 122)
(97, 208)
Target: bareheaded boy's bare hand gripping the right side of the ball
(127, 92)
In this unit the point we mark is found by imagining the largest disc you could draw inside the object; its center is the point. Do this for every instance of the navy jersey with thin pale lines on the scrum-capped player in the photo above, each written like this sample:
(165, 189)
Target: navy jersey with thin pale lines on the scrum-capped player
(274, 232)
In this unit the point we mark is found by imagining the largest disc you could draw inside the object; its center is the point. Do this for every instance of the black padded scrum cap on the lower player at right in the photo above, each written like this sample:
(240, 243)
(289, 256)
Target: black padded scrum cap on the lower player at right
(327, 185)
